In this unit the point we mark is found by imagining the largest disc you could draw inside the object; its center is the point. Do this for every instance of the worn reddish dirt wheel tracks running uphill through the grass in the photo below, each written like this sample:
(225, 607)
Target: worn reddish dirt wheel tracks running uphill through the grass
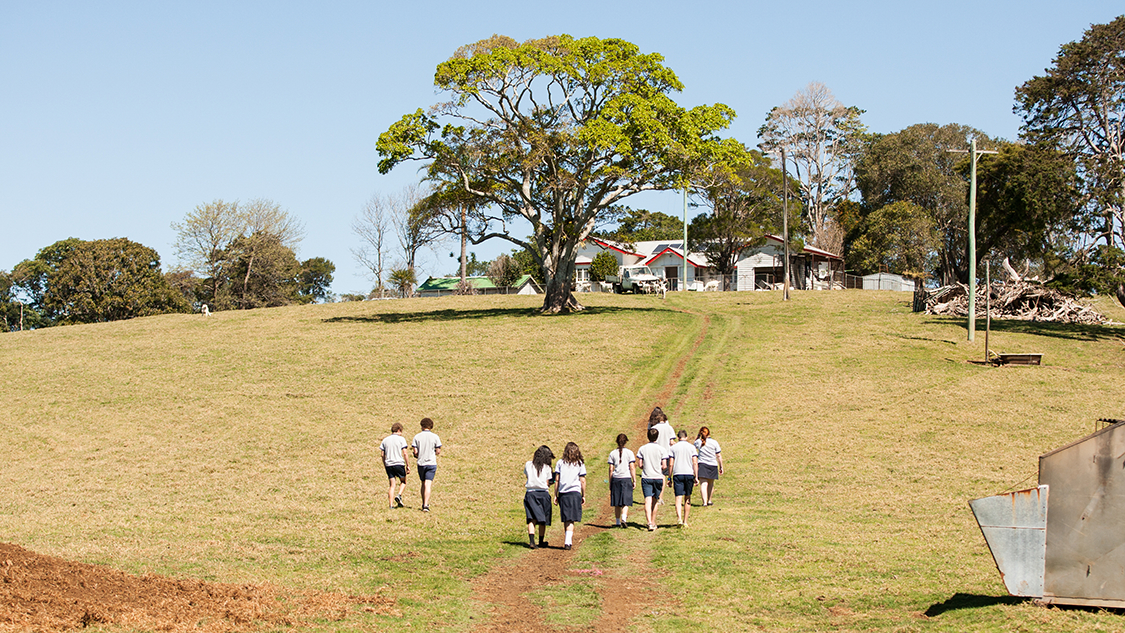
(624, 592)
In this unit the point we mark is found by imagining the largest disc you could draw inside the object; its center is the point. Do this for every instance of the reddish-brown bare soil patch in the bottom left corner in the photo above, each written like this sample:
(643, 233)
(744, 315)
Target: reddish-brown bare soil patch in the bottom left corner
(41, 593)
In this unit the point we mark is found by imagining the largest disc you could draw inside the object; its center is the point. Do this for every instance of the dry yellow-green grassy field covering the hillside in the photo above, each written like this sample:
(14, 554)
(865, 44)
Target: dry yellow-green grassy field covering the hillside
(245, 448)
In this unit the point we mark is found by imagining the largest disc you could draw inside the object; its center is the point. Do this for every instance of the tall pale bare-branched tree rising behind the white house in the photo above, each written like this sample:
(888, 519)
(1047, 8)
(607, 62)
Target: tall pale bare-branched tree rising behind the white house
(821, 137)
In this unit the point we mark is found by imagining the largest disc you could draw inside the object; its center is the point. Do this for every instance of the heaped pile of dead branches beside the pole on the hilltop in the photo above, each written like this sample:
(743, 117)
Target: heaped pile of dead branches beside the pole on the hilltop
(1019, 301)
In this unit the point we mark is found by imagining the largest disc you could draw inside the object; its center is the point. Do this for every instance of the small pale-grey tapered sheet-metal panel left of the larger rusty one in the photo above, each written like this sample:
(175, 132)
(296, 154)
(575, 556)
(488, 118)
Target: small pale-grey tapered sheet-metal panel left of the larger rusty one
(1015, 528)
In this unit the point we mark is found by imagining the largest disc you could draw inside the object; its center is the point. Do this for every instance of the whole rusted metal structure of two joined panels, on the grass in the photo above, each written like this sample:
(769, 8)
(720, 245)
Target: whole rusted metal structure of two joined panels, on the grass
(1064, 542)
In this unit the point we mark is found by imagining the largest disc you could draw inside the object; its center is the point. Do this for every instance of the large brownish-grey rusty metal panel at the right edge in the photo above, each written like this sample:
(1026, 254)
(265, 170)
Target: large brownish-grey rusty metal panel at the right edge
(1086, 536)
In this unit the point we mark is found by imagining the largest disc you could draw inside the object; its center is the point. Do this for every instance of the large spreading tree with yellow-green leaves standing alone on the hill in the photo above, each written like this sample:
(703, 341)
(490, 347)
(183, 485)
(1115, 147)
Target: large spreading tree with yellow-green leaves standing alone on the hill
(557, 132)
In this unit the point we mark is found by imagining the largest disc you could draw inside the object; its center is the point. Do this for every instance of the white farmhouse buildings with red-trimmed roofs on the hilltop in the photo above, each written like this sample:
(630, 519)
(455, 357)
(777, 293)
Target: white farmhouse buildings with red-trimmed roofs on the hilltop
(759, 268)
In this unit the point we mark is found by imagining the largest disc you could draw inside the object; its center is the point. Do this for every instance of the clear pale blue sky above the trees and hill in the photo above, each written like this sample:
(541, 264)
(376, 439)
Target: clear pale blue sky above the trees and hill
(118, 119)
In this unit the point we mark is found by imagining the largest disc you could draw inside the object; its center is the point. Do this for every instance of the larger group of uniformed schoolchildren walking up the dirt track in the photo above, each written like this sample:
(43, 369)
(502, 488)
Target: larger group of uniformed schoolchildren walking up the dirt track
(667, 456)
